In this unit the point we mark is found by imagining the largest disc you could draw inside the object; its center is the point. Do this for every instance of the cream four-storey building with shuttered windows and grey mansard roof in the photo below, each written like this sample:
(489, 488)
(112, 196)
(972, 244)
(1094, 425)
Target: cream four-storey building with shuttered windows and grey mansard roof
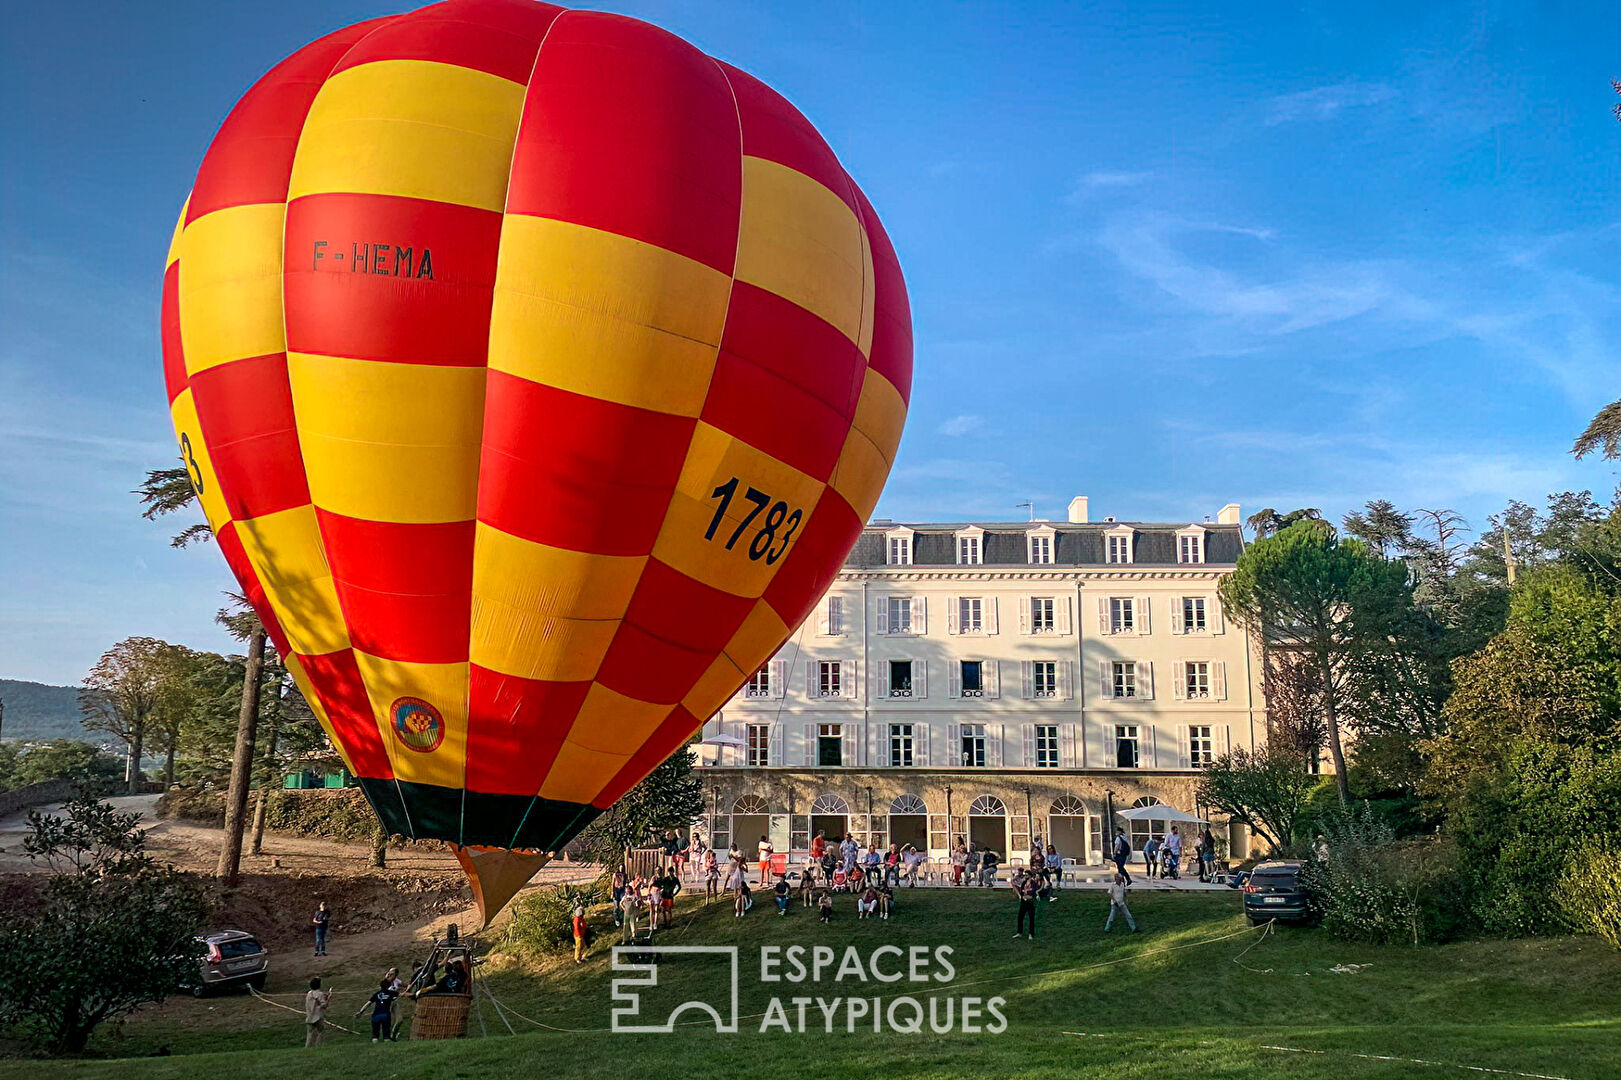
(993, 682)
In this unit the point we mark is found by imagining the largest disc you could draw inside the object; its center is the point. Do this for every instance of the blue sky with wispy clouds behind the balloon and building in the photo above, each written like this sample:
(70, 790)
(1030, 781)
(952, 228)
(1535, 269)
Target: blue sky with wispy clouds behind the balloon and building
(1163, 255)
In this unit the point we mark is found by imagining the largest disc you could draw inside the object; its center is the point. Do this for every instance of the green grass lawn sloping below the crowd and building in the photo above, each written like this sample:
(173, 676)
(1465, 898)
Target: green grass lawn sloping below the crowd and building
(1165, 1003)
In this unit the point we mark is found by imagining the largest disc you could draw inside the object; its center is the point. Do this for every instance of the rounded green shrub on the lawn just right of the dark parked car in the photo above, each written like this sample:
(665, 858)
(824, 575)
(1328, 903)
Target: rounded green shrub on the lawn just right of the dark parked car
(1374, 889)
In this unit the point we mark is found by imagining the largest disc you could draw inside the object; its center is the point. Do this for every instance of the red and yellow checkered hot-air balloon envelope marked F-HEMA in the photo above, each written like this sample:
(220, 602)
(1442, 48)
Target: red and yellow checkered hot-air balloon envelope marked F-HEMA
(536, 374)
